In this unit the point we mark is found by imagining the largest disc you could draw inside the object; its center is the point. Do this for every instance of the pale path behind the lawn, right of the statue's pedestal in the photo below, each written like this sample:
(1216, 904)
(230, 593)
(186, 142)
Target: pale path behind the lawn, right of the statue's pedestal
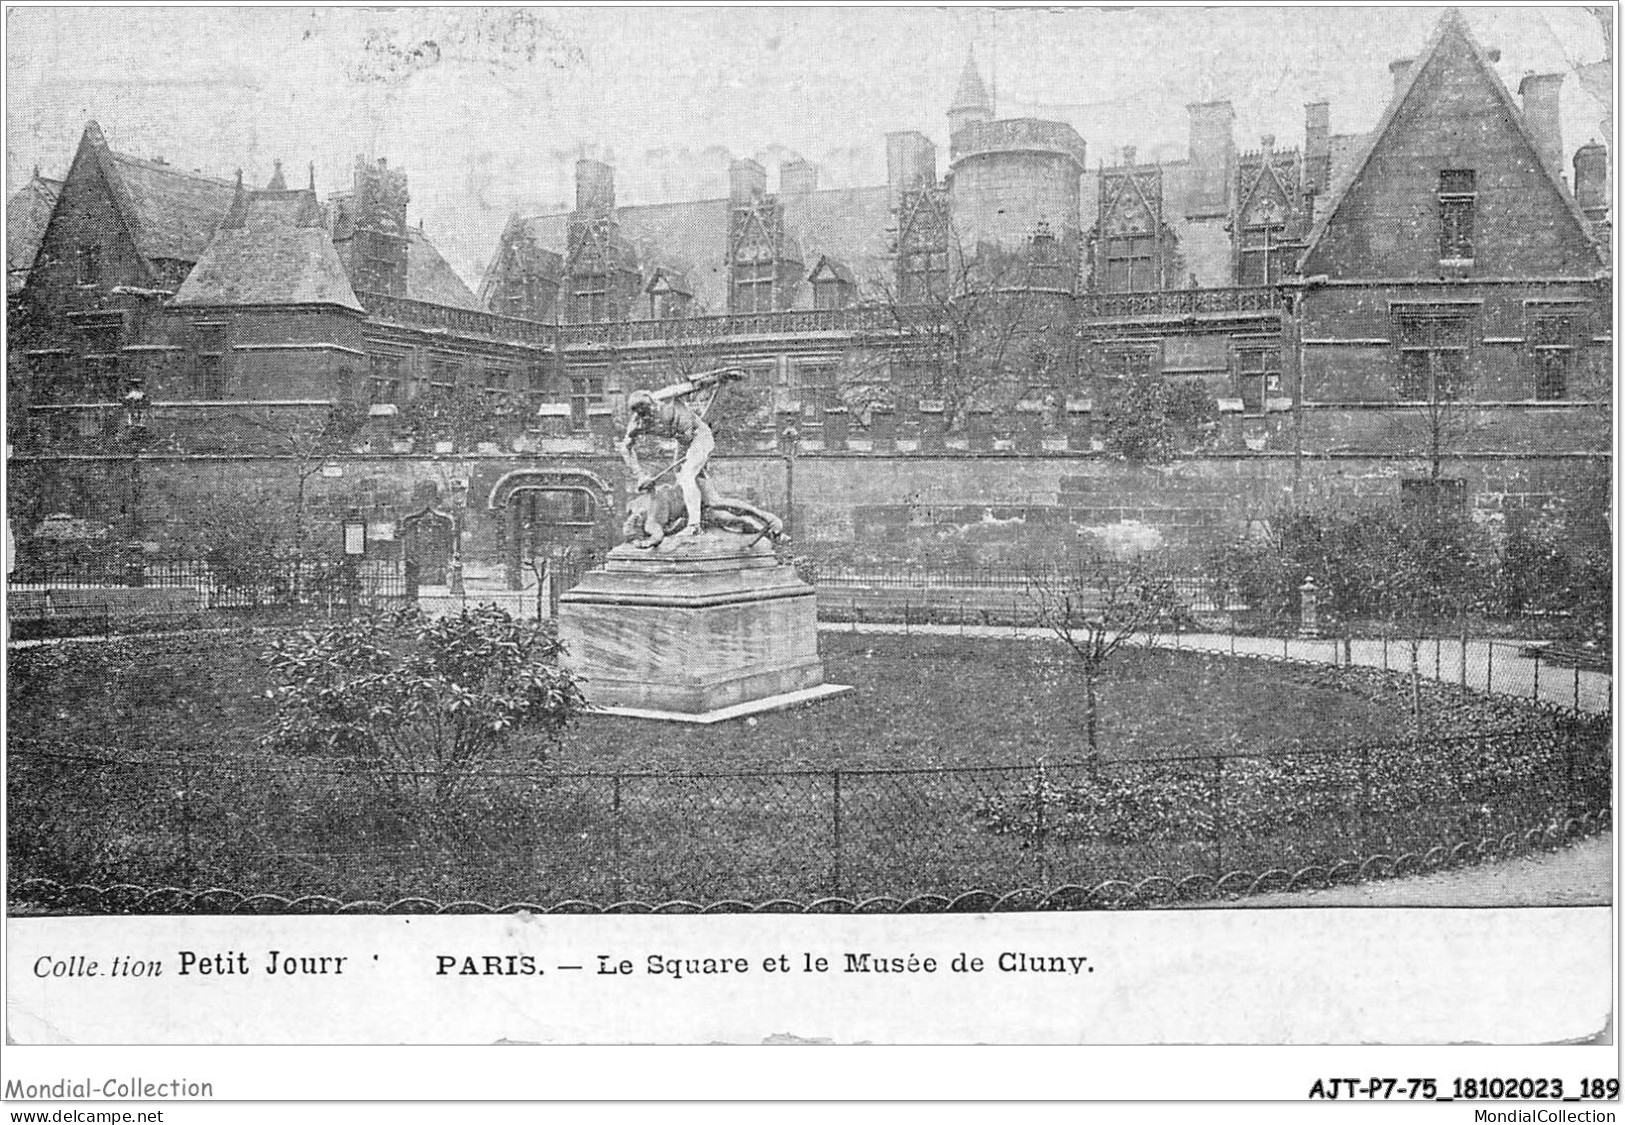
(1491, 666)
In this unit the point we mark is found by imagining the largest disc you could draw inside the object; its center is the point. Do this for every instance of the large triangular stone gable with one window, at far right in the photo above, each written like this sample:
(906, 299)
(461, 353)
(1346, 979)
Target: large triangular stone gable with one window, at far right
(1452, 115)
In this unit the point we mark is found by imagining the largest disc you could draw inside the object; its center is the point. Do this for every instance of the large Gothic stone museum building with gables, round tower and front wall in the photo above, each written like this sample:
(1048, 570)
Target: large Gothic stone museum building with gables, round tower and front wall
(1424, 306)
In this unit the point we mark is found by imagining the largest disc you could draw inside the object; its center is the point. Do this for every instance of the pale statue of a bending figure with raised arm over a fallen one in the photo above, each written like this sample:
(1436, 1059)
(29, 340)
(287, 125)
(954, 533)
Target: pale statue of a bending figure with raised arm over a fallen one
(690, 502)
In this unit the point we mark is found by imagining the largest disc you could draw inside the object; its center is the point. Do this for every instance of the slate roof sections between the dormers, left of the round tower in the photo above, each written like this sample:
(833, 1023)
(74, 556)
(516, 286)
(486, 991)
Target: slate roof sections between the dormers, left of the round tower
(693, 237)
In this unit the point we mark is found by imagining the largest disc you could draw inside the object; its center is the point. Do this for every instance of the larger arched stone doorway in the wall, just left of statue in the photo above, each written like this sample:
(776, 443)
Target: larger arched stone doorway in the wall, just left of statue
(563, 519)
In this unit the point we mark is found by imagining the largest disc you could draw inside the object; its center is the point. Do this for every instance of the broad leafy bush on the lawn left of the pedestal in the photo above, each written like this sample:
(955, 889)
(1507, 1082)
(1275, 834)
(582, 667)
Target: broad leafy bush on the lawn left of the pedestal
(422, 705)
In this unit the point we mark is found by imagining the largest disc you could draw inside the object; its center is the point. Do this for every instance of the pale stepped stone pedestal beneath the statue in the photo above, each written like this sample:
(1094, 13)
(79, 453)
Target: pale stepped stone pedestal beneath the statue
(695, 630)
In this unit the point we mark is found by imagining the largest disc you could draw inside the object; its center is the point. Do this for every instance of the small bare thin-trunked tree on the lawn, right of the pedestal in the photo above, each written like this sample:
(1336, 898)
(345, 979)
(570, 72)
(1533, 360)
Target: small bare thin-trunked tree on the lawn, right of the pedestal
(1094, 606)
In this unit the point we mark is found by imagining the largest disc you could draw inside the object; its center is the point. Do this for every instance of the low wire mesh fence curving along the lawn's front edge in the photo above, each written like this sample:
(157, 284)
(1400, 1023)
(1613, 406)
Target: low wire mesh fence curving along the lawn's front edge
(1185, 827)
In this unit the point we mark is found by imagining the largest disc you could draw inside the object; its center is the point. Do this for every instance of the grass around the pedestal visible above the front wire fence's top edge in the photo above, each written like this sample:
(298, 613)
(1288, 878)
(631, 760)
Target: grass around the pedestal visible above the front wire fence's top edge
(917, 703)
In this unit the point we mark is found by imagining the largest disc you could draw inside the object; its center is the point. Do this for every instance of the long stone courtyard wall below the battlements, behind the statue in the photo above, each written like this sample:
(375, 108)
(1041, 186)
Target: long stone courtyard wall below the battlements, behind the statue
(945, 508)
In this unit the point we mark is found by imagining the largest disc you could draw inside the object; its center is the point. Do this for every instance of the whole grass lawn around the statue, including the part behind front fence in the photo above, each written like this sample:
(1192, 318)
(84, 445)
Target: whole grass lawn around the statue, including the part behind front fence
(844, 797)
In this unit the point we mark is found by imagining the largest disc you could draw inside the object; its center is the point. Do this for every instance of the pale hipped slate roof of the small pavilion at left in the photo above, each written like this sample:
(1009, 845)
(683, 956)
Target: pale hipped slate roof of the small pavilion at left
(272, 251)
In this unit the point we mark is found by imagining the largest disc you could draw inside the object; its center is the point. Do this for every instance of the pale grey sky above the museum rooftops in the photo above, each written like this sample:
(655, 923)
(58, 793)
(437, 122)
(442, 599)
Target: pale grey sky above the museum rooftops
(488, 108)
